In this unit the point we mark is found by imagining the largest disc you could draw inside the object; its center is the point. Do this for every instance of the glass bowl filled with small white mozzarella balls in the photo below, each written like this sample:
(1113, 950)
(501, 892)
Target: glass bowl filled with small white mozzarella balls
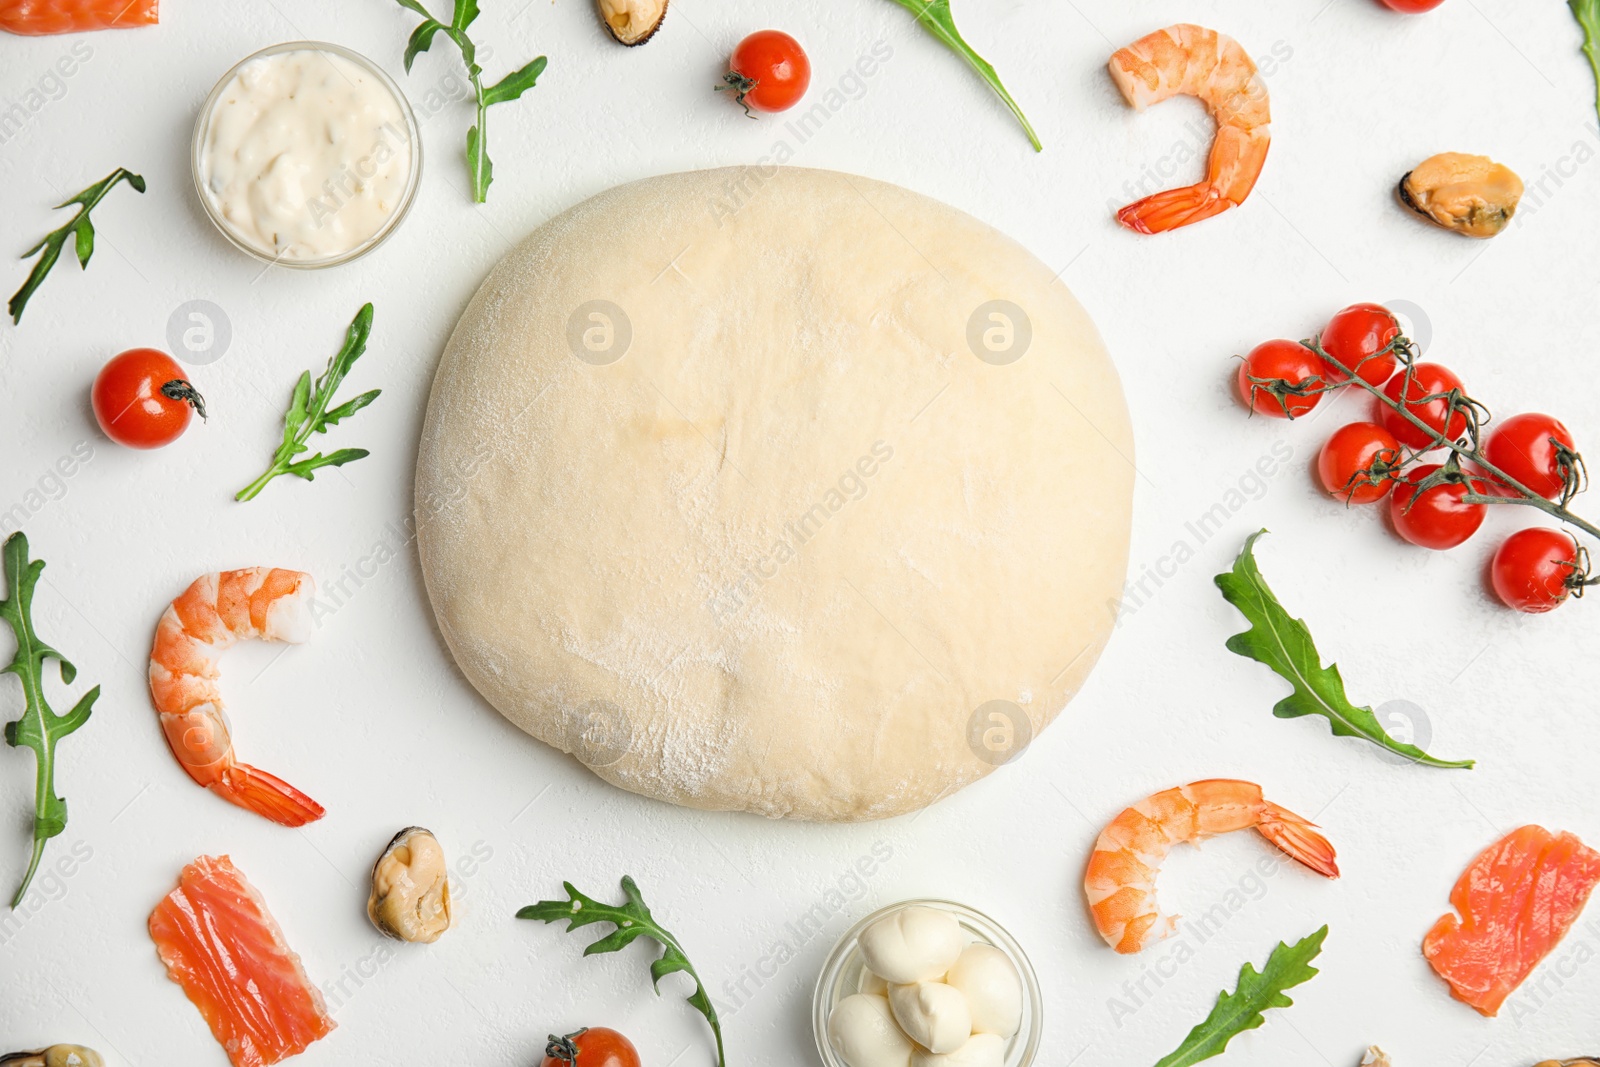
(927, 985)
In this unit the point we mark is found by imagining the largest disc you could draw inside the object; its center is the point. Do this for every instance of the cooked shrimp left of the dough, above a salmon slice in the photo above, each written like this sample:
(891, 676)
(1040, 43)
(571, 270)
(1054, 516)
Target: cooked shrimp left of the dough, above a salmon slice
(214, 613)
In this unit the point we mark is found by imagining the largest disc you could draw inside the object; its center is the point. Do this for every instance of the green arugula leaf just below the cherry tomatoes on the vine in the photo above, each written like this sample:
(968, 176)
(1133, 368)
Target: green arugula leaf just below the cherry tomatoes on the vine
(1284, 644)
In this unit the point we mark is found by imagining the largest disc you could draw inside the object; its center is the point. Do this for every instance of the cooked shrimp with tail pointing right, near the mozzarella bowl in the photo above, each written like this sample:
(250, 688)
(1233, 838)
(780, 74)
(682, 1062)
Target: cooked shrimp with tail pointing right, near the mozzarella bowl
(1121, 881)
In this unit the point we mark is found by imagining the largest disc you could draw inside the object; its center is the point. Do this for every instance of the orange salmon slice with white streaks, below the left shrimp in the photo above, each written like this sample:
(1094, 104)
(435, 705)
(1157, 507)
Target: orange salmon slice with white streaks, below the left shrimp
(222, 945)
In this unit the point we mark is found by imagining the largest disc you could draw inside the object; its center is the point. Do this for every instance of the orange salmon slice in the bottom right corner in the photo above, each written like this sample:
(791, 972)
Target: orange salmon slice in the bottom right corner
(1516, 903)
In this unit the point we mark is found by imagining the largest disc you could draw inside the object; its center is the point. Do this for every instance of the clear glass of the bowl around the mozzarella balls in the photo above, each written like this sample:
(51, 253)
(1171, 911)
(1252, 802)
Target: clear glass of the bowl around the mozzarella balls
(844, 969)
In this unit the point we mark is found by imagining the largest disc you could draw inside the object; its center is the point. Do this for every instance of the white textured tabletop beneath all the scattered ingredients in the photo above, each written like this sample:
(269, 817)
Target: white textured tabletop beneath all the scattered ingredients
(374, 721)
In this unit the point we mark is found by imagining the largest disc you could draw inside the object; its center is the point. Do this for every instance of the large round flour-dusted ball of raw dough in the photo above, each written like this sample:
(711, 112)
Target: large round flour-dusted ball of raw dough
(785, 492)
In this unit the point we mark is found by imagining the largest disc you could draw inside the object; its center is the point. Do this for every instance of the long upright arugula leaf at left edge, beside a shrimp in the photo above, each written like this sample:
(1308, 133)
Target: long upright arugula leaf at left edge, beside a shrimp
(39, 727)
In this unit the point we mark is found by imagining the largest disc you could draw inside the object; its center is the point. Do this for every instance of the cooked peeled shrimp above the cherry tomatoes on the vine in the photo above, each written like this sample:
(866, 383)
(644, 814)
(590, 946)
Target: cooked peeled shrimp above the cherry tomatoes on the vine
(1194, 62)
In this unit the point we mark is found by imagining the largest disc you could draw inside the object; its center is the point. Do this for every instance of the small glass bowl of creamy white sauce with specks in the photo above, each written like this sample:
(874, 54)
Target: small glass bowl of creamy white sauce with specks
(306, 156)
